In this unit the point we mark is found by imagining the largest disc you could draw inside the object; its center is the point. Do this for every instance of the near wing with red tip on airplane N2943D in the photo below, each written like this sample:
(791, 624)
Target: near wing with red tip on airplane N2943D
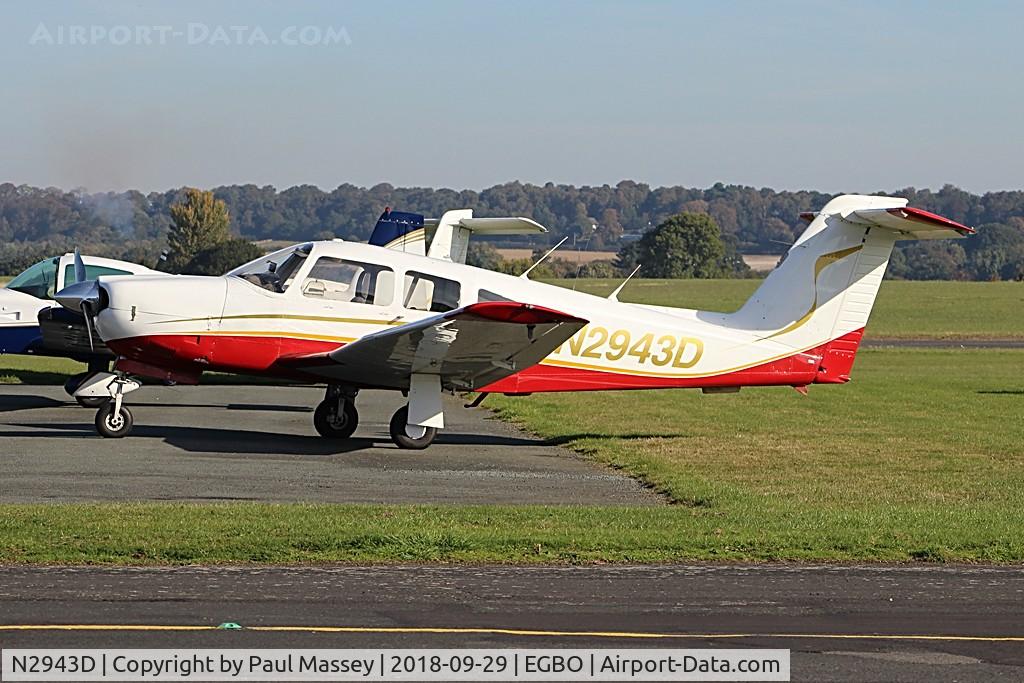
(468, 348)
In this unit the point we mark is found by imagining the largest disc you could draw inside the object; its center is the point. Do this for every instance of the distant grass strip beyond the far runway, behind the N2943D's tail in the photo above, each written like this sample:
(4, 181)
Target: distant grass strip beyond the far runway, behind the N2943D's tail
(904, 310)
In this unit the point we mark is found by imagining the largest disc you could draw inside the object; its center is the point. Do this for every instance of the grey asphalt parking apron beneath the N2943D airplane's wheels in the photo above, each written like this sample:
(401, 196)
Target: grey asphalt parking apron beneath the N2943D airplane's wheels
(259, 444)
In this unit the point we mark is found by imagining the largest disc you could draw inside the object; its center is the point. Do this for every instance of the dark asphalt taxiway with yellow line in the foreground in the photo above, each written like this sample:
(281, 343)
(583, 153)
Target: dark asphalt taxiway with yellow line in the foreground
(841, 623)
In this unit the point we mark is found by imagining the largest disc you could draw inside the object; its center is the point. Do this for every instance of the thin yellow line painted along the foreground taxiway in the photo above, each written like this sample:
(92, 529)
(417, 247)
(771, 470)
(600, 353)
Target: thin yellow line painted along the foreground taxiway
(513, 632)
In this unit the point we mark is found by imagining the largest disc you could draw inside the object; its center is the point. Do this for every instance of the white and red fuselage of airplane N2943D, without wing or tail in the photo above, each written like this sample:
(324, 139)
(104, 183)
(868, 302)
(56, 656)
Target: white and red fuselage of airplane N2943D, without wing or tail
(186, 325)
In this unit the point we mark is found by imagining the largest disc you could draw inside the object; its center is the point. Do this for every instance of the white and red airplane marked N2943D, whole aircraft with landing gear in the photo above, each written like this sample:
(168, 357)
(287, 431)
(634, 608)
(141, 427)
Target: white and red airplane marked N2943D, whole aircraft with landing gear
(395, 316)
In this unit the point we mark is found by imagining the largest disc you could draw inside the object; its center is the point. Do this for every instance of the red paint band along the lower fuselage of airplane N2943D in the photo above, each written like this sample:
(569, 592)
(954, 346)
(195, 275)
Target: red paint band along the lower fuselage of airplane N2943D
(830, 363)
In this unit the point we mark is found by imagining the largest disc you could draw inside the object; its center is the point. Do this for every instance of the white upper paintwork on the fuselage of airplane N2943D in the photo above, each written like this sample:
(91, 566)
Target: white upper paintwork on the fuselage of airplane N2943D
(679, 343)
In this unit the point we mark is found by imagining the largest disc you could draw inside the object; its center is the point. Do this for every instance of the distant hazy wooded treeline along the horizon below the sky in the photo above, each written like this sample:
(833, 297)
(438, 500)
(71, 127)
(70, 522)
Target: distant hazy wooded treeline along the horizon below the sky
(755, 221)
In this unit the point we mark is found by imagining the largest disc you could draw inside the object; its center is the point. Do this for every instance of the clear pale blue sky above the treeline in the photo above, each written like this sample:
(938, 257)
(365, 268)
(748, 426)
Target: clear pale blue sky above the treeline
(855, 97)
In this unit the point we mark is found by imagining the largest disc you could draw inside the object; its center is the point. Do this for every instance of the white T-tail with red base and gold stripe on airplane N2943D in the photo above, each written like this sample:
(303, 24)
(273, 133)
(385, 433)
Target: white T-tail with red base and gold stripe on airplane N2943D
(822, 294)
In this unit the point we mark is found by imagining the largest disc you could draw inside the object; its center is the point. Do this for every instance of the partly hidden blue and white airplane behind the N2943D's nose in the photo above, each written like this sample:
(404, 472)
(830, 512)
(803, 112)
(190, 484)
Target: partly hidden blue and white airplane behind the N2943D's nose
(31, 322)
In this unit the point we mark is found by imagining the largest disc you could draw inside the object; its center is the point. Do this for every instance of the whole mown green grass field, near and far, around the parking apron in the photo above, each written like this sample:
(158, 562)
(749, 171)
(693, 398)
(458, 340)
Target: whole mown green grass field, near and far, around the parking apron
(920, 459)
